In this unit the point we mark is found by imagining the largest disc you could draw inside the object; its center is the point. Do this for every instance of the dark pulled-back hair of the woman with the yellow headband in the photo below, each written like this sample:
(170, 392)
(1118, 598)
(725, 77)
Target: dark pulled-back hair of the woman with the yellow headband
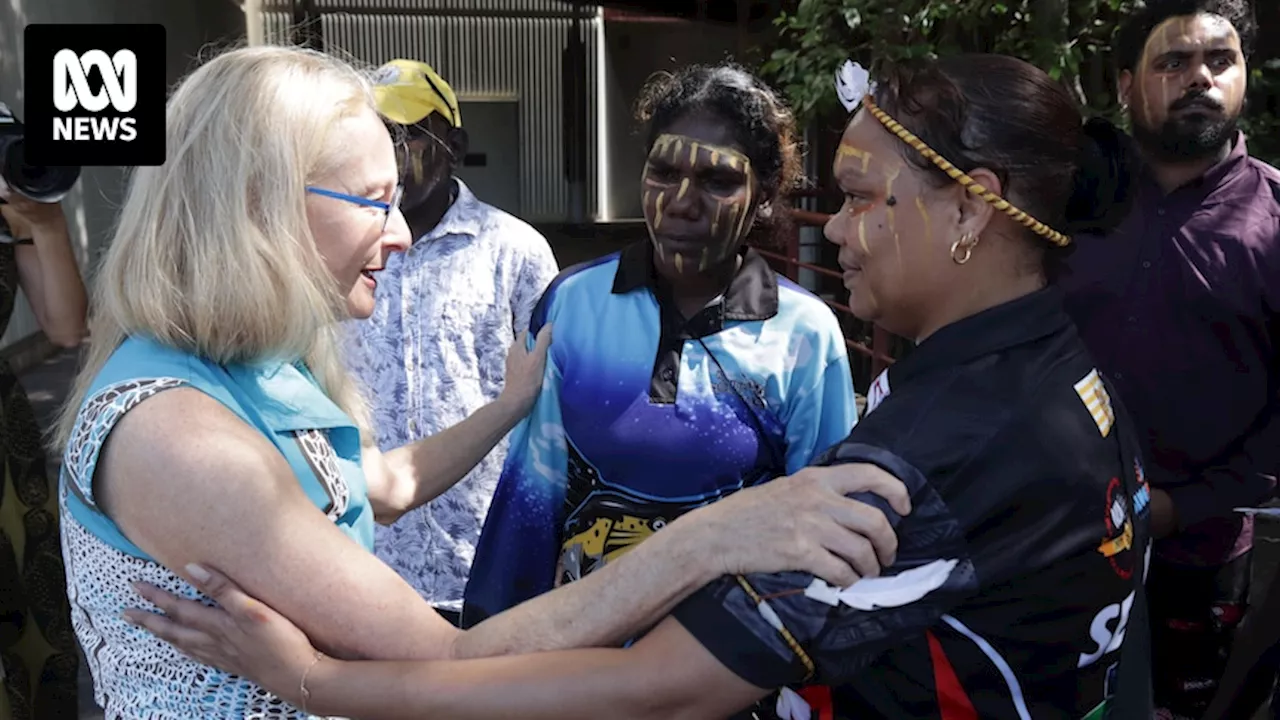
(1009, 117)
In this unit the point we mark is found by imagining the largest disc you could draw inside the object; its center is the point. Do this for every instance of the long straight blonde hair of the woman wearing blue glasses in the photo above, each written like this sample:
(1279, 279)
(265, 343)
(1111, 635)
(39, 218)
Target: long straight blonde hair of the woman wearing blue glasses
(213, 253)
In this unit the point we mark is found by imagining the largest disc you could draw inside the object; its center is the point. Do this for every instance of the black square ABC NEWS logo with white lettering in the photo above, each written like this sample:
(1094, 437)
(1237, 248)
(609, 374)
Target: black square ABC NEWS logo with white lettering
(95, 94)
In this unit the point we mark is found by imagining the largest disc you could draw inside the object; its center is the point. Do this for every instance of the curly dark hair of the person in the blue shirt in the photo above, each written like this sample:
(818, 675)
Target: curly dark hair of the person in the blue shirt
(762, 122)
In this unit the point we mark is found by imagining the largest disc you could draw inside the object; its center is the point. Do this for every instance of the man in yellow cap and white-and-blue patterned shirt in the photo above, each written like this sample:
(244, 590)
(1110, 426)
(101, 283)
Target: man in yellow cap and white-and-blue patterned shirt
(446, 313)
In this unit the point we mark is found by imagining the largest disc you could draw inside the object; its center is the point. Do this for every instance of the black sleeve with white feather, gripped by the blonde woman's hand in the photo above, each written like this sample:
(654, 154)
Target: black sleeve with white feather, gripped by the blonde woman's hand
(785, 628)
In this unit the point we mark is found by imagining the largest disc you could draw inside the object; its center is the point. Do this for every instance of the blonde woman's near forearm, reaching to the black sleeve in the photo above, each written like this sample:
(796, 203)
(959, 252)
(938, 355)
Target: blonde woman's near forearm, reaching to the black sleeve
(609, 608)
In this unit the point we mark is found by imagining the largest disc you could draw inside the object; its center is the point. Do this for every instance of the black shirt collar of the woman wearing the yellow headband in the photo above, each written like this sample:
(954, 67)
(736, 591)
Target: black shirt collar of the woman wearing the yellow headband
(1014, 323)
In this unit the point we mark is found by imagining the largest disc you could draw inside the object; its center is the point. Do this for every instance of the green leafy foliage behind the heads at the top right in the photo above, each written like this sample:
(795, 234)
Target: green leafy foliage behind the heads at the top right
(1069, 39)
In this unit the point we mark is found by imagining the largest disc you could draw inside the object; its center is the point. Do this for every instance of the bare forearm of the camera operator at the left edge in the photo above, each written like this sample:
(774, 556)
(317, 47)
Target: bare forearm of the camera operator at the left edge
(61, 286)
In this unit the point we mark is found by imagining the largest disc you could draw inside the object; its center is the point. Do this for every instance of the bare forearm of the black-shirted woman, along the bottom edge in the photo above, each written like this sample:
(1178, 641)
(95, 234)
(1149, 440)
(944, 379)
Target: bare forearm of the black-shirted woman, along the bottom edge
(586, 683)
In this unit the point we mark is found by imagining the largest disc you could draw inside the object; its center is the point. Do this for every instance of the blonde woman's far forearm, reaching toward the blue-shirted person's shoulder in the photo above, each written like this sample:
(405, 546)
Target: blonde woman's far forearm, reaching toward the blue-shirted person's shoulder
(432, 466)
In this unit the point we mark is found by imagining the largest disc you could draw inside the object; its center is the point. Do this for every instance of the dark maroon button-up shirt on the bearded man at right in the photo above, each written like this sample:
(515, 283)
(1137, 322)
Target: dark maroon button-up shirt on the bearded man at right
(1181, 307)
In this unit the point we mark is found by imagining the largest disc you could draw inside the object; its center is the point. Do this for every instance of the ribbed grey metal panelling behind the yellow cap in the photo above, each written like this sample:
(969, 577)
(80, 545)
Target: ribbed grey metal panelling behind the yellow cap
(486, 49)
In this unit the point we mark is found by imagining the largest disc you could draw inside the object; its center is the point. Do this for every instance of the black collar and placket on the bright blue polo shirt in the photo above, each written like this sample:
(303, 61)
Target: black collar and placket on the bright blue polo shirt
(752, 295)
